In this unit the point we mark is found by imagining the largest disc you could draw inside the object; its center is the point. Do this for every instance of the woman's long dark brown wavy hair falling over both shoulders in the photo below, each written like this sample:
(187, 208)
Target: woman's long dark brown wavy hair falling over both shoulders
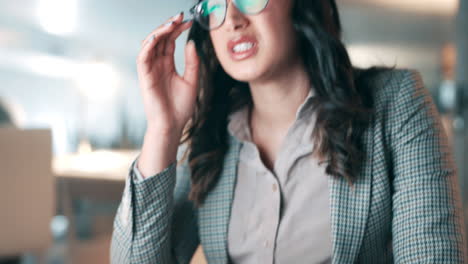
(342, 99)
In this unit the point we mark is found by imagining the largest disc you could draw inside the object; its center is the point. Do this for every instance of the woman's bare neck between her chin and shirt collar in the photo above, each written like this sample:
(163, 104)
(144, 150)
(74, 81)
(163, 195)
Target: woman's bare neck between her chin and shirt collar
(276, 101)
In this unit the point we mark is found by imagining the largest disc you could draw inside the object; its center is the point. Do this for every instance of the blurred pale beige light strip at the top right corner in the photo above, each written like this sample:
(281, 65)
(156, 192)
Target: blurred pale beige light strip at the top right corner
(441, 7)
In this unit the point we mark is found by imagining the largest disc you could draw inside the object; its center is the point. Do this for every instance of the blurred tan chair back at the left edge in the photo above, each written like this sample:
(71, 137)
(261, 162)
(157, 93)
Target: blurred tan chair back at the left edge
(27, 191)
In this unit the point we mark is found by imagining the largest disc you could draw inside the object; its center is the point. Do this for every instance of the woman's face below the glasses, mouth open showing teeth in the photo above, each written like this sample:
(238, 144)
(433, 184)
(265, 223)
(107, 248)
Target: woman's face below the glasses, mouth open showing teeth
(256, 47)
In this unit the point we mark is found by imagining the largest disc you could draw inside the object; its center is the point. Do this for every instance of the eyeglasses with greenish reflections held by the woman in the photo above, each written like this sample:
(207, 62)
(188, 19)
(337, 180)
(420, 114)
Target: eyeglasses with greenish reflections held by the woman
(210, 14)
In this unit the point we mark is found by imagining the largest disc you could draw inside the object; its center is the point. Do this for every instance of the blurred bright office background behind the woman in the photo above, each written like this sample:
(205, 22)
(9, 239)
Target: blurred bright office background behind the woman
(68, 77)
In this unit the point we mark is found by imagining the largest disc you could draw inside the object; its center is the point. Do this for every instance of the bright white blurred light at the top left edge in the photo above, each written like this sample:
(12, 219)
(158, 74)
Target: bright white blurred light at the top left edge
(58, 17)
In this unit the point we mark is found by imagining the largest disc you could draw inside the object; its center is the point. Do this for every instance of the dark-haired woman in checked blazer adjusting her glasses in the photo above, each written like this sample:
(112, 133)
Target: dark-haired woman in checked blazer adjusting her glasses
(294, 156)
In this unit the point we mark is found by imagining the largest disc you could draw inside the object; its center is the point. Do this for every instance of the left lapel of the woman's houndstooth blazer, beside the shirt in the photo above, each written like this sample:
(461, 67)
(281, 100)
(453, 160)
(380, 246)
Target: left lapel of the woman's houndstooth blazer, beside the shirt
(215, 213)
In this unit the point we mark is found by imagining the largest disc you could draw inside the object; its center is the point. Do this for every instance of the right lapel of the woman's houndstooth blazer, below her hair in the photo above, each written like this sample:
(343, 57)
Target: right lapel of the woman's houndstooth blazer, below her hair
(350, 207)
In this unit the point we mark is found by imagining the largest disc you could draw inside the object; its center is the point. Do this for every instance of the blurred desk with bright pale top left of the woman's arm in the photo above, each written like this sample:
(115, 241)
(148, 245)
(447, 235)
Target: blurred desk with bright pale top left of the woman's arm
(90, 179)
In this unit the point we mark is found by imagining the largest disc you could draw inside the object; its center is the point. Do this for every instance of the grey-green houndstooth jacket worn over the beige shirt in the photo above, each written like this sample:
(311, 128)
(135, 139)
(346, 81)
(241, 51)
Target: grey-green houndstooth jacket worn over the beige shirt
(405, 206)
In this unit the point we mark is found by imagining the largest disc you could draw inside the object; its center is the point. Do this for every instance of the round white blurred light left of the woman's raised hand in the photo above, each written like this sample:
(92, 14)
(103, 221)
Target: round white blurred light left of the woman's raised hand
(97, 80)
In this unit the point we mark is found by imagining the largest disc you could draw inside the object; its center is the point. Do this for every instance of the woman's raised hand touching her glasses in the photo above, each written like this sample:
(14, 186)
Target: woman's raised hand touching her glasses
(169, 99)
